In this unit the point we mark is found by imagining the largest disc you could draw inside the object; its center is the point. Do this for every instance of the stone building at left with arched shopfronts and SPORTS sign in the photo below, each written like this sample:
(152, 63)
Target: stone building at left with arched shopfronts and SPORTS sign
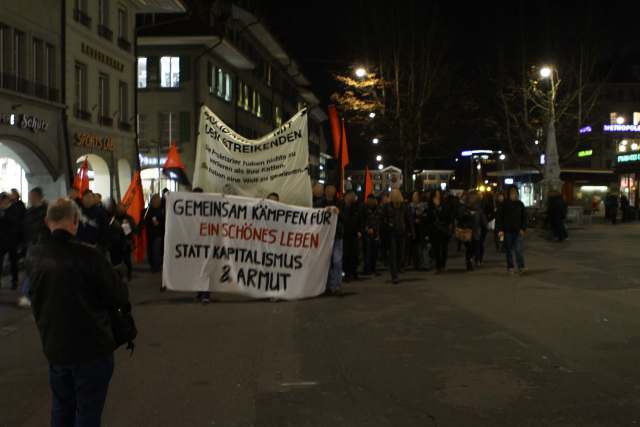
(67, 92)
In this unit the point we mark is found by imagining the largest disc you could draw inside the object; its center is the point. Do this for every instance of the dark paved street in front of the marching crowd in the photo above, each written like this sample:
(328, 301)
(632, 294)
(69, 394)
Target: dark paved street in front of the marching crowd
(557, 347)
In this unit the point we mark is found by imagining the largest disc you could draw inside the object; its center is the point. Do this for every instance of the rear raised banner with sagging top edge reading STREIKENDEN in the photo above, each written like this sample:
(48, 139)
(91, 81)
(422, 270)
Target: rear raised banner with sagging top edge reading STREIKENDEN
(228, 163)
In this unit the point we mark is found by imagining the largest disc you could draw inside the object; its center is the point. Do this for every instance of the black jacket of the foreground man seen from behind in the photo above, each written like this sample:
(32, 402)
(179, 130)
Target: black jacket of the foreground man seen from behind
(73, 290)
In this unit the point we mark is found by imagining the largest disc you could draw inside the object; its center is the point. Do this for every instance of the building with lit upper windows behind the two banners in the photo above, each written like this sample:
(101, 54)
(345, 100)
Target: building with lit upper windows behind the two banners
(234, 66)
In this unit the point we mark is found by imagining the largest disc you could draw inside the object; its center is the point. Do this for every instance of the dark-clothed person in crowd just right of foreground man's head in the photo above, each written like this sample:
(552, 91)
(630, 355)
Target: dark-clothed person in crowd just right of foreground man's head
(94, 222)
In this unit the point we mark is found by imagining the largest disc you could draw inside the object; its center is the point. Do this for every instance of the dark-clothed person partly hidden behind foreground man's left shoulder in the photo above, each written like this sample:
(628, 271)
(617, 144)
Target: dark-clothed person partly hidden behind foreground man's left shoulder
(34, 231)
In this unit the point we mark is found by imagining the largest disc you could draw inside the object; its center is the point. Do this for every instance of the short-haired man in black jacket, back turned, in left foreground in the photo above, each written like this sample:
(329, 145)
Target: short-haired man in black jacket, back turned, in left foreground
(74, 291)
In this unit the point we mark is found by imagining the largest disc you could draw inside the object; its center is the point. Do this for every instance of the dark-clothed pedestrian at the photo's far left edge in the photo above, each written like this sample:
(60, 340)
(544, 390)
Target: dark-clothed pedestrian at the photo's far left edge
(11, 218)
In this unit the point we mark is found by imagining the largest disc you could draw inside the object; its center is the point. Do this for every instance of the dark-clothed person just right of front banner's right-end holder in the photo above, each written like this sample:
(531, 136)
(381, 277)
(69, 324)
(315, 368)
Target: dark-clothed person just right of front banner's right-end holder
(352, 220)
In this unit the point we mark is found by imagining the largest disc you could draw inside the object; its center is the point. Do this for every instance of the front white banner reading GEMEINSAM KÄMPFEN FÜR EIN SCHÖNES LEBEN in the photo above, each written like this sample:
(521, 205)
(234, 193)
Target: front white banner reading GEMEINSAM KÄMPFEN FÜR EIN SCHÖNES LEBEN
(253, 247)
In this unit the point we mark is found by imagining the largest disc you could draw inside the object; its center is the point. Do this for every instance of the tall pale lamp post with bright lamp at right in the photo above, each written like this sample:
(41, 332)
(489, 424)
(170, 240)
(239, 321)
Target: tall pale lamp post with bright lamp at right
(552, 161)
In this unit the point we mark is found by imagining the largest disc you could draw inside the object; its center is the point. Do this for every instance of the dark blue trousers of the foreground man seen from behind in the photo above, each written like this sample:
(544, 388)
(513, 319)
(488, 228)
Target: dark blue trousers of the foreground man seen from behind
(79, 392)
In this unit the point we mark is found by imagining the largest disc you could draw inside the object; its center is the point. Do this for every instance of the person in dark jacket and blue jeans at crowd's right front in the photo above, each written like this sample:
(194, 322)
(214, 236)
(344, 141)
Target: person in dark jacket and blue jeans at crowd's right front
(512, 226)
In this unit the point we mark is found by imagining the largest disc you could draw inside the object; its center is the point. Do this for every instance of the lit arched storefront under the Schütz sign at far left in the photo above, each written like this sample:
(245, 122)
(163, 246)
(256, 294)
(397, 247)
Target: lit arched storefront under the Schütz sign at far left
(32, 149)
